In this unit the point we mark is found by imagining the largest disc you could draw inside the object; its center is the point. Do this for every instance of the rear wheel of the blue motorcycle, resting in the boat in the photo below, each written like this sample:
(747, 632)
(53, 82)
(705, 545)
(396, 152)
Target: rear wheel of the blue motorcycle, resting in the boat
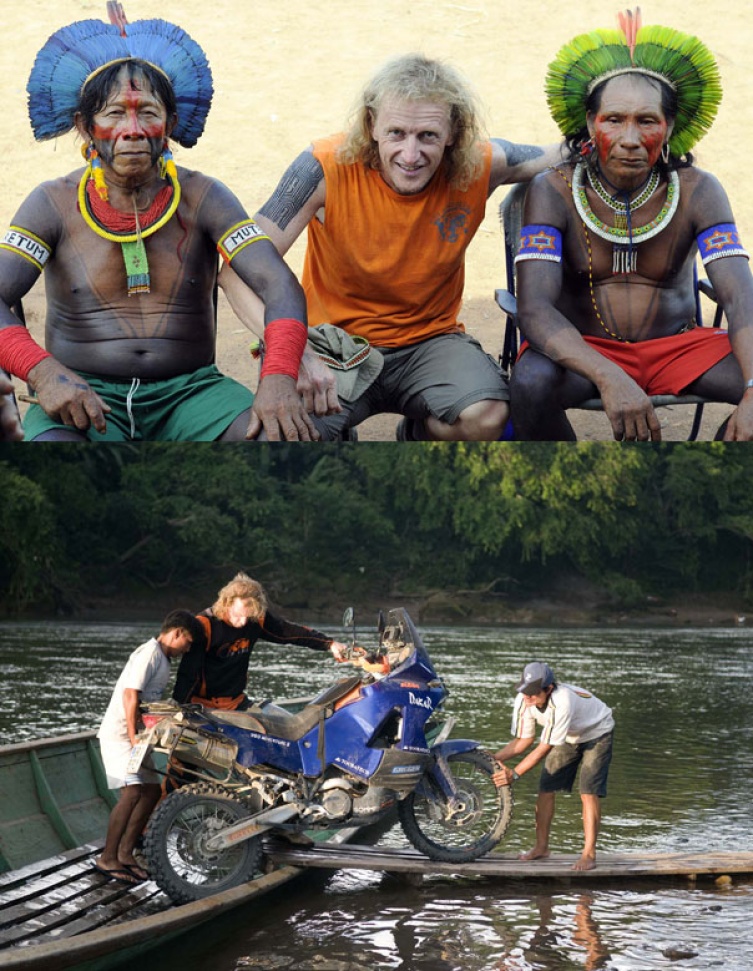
(175, 844)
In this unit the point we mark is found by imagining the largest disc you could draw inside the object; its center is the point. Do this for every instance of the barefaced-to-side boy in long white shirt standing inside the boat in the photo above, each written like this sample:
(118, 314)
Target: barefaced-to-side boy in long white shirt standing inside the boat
(144, 678)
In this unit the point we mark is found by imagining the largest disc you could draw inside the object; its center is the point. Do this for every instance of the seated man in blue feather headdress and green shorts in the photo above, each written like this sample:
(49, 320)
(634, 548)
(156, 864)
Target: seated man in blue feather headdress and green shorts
(130, 248)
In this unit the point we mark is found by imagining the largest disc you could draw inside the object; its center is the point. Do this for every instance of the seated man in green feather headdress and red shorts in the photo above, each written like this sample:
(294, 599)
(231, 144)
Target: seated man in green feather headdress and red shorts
(605, 268)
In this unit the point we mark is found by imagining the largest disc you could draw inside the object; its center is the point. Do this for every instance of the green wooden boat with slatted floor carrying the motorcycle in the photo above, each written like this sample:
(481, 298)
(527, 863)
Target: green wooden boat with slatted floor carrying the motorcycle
(56, 910)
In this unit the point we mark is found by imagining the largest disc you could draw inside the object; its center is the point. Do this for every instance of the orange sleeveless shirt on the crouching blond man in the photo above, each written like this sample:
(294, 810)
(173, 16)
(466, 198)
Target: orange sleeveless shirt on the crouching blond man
(385, 266)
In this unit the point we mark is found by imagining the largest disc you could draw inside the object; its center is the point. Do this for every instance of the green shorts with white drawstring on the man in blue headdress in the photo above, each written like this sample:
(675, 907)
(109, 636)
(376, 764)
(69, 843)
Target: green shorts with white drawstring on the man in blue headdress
(195, 407)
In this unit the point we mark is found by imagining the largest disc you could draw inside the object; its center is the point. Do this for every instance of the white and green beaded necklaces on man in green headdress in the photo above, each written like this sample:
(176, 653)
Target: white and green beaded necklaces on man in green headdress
(623, 236)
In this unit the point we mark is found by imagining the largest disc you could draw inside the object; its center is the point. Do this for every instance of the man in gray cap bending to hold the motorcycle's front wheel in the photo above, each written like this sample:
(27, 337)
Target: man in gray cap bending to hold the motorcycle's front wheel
(576, 730)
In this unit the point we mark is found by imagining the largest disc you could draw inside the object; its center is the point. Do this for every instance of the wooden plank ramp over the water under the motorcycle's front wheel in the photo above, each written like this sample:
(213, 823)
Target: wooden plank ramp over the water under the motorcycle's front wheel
(505, 866)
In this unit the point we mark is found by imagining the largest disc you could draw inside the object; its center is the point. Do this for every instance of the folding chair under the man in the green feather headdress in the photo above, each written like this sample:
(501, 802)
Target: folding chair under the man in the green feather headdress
(511, 217)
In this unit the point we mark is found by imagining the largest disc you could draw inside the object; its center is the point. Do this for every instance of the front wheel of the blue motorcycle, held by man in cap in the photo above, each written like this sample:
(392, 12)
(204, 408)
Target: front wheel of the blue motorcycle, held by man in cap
(469, 830)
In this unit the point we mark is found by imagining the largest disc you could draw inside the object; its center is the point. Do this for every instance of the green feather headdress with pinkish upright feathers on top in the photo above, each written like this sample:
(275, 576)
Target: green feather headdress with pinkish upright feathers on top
(679, 60)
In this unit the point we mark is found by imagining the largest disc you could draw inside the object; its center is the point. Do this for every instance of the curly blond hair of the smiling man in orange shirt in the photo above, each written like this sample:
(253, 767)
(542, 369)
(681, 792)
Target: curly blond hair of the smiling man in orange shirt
(413, 77)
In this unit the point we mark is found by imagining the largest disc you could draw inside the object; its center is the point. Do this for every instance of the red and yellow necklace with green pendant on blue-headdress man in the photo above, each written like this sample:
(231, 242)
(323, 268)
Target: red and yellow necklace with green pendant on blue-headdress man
(130, 230)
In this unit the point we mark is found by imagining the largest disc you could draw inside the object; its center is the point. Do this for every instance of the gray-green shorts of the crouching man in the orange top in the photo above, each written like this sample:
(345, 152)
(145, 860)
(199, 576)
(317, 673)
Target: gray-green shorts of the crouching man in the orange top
(439, 377)
